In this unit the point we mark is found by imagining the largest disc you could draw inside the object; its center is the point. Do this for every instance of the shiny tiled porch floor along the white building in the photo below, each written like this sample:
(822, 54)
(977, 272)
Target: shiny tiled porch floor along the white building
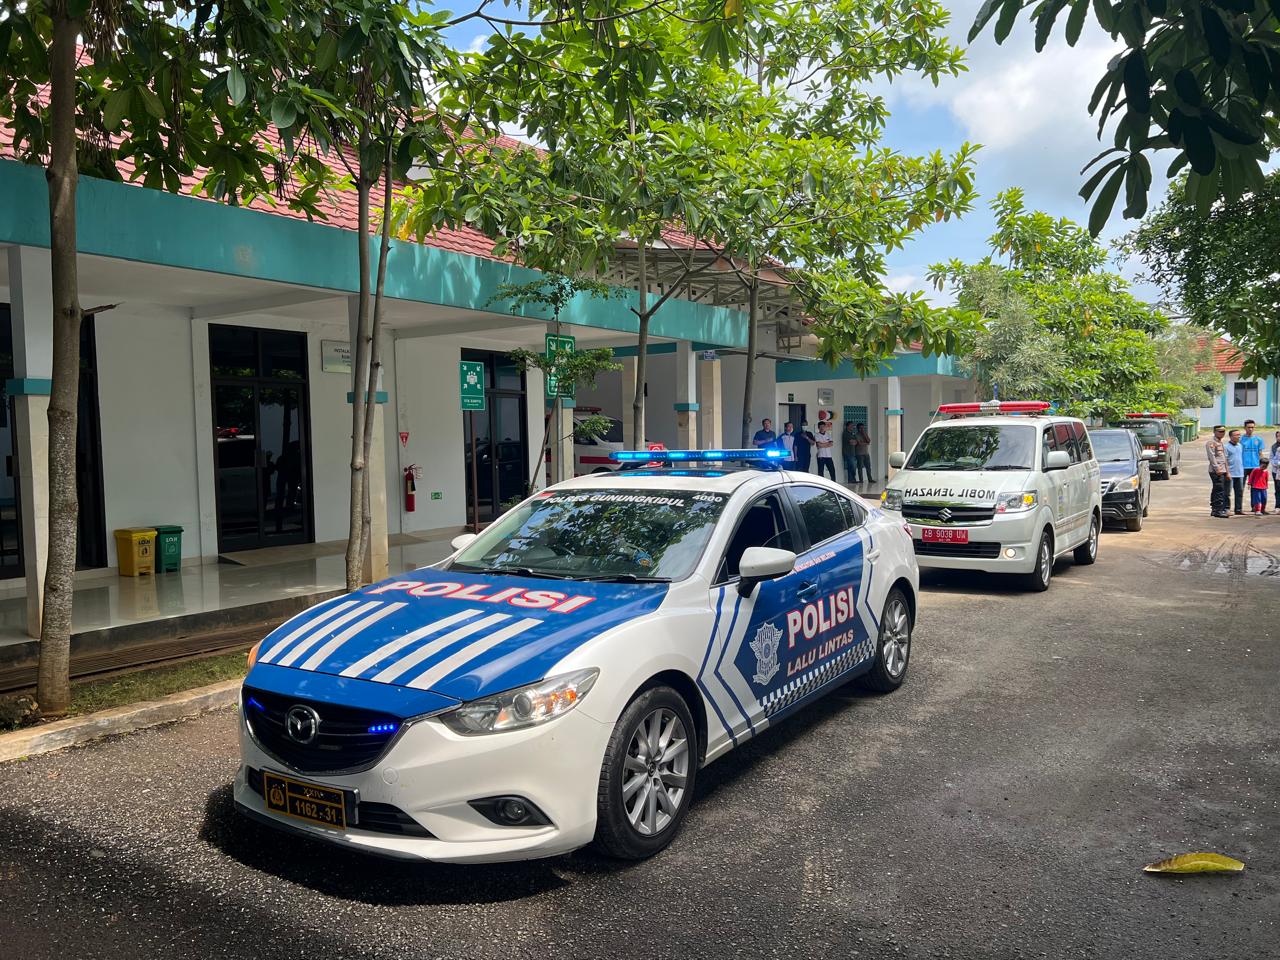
(116, 601)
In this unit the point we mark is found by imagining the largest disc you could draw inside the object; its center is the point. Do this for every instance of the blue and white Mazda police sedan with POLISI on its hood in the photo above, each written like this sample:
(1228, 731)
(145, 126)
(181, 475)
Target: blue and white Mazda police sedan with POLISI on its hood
(565, 675)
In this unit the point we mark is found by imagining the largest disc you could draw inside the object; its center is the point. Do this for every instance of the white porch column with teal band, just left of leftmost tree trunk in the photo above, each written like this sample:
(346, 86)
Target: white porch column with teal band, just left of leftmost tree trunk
(33, 313)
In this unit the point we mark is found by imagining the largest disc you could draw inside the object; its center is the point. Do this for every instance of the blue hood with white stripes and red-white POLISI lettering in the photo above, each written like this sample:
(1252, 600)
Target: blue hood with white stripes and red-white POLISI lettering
(459, 636)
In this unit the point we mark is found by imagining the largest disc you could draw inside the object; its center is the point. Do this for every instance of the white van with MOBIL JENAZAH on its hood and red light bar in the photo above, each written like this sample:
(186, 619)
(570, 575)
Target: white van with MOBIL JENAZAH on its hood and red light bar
(1000, 487)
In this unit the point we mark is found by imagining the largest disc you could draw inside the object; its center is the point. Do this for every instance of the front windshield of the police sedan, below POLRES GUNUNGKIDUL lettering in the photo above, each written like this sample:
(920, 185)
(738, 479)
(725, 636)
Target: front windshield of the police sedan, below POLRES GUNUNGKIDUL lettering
(611, 534)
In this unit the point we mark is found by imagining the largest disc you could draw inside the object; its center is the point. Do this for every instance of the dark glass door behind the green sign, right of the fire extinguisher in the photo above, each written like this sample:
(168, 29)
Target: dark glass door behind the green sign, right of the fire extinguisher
(496, 441)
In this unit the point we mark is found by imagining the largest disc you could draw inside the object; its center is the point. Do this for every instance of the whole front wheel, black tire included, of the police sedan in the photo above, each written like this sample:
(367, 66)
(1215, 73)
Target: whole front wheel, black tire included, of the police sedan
(634, 828)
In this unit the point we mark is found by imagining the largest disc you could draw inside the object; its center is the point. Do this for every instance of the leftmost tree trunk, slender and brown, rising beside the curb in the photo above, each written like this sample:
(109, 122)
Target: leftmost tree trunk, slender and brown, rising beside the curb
(56, 629)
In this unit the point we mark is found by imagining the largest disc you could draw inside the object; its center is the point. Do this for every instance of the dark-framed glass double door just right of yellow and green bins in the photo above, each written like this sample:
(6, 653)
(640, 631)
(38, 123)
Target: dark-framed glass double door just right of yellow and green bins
(262, 440)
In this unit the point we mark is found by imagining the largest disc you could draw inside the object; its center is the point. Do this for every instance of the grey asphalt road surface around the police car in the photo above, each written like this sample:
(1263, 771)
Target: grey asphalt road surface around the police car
(1002, 804)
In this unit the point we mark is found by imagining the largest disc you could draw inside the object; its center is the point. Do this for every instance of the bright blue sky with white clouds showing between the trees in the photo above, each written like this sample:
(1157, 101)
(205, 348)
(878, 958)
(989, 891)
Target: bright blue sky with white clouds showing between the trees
(1028, 111)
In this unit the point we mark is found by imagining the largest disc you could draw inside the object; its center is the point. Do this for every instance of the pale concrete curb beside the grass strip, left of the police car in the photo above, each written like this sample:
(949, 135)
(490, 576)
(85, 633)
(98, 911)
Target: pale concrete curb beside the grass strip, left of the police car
(58, 735)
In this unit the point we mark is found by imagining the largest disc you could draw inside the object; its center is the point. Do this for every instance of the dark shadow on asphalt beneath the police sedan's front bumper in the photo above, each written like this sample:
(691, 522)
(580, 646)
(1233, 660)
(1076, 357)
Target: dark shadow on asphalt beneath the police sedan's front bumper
(350, 875)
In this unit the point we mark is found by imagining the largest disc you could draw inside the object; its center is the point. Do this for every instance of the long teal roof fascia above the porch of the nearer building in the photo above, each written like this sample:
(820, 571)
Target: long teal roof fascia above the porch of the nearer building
(152, 227)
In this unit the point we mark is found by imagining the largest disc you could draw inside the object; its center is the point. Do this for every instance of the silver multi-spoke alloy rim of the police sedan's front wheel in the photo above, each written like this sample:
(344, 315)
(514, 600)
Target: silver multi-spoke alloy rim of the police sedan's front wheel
(656, 772)
